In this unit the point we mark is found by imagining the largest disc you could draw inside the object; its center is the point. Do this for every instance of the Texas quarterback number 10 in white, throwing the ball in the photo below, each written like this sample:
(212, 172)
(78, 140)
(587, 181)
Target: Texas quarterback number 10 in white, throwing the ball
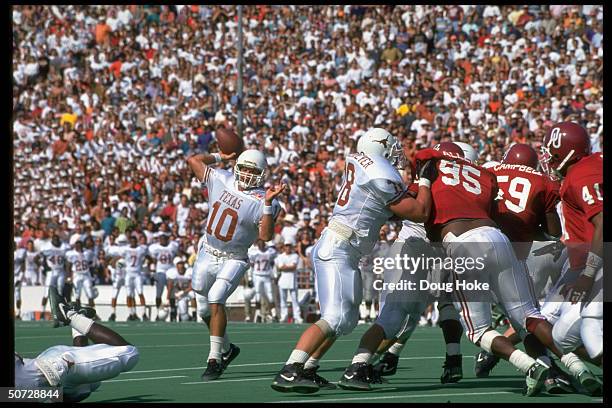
(240, 212)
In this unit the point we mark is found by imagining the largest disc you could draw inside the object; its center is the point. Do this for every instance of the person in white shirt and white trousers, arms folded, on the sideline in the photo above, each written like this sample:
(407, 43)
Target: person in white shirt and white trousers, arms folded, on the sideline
(287, 264)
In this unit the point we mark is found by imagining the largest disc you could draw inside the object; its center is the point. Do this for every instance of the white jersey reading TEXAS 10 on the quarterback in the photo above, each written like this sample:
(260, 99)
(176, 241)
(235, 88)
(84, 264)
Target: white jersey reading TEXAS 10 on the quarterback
(234, 216)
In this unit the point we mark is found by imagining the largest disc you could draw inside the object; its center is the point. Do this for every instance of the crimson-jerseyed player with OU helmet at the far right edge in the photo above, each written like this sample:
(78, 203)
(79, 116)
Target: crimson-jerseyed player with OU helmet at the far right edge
(566, 154)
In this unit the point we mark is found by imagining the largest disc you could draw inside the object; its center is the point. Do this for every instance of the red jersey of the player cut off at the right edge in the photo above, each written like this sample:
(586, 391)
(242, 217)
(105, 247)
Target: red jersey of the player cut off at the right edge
(581, 199)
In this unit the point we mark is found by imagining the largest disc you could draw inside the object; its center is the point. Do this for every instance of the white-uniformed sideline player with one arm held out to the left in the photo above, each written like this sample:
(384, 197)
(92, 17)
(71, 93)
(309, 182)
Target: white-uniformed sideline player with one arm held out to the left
(134, 256)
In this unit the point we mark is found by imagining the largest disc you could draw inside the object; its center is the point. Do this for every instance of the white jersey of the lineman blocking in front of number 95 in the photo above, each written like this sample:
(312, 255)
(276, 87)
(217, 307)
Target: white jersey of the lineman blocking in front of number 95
(370, 185)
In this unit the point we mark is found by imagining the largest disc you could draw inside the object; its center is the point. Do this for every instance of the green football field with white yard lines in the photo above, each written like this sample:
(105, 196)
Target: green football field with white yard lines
(172, 357)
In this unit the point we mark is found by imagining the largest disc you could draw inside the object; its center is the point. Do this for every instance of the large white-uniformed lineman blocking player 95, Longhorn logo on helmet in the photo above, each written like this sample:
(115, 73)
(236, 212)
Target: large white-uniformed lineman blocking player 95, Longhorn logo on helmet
(373, 191)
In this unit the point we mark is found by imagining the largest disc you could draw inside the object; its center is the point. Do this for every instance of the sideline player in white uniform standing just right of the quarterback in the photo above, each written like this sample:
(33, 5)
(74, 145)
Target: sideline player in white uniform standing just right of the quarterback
(262, 262)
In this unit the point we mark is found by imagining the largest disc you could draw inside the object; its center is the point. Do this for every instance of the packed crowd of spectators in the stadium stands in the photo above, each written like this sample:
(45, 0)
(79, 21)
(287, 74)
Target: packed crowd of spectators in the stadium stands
(109, 101)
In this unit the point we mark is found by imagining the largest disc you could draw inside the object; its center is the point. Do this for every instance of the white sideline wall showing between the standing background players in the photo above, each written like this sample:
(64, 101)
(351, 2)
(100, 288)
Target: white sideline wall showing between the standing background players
(31, 297)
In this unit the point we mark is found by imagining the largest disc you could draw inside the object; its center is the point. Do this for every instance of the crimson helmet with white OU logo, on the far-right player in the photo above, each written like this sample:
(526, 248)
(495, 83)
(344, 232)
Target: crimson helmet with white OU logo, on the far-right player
(564, 144)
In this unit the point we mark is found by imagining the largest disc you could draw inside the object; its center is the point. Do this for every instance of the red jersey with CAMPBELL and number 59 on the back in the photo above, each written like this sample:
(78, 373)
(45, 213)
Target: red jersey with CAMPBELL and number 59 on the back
(526, 196)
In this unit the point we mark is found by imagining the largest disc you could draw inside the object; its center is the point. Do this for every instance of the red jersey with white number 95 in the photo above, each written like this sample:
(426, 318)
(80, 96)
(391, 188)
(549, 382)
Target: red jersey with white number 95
(461, 190)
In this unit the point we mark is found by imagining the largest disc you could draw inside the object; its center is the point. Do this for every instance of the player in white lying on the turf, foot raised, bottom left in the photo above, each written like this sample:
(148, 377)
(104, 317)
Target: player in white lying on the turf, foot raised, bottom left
(78, 369)
